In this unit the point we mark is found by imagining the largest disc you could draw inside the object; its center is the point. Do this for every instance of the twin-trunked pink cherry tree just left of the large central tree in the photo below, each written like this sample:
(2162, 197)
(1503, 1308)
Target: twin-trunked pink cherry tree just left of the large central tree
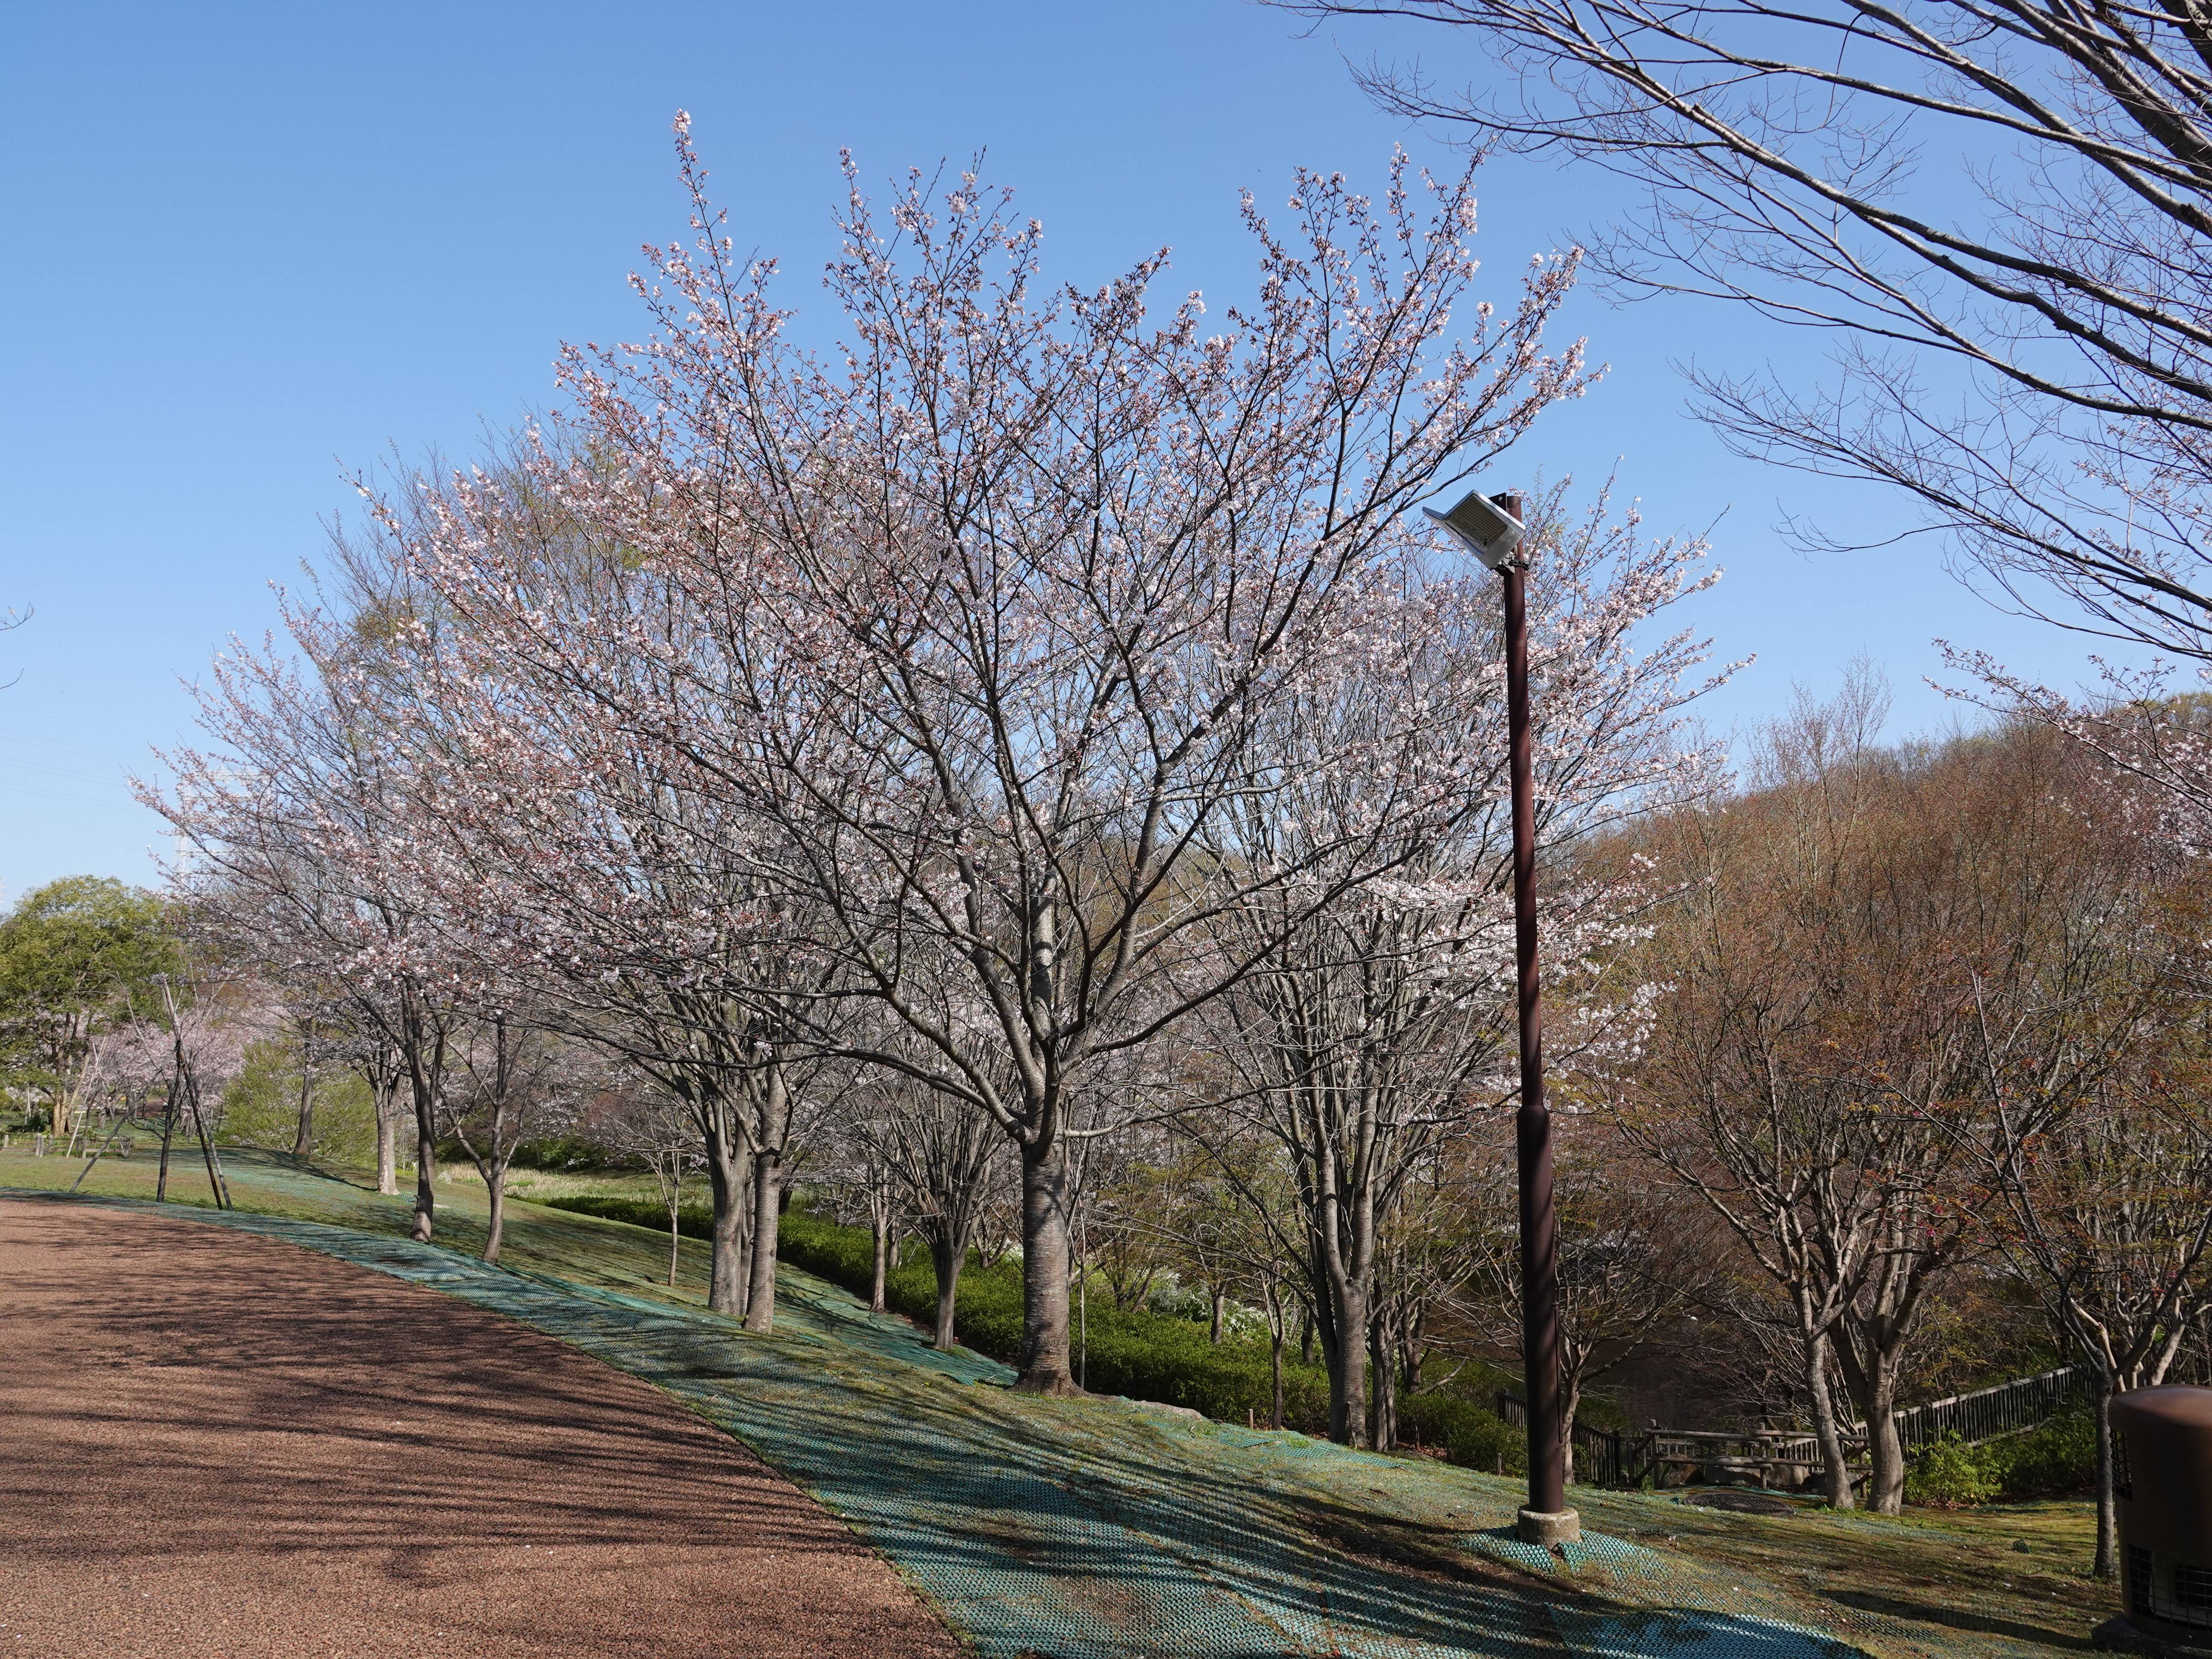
(589, 851)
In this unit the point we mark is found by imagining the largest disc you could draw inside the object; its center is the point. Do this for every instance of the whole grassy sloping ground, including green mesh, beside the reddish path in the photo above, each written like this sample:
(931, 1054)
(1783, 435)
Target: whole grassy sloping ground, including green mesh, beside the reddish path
(1085, 1527)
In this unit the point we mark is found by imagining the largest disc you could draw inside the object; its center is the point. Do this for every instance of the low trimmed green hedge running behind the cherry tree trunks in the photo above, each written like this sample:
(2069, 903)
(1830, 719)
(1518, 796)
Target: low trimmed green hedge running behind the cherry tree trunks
(1142, 1355)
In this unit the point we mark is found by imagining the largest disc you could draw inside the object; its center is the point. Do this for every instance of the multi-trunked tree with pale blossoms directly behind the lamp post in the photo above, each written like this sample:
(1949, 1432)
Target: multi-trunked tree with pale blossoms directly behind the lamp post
(1373, 1027)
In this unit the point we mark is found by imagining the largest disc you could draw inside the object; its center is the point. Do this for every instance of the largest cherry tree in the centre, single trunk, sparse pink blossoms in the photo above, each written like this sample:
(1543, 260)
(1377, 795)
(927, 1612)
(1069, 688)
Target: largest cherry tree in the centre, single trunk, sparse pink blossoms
(1014, 581)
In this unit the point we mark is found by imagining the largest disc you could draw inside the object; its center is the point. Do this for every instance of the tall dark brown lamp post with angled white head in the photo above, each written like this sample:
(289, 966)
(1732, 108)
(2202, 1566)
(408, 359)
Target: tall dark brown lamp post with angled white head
(1492, 530)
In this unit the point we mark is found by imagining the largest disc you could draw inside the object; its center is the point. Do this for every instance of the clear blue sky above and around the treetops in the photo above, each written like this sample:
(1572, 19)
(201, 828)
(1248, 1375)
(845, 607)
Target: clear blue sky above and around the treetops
(253, 249)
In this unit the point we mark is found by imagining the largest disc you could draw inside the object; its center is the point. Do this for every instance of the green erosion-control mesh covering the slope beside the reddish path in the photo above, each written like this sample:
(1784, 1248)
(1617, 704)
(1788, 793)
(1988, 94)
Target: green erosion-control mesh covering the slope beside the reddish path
(1100, 1530)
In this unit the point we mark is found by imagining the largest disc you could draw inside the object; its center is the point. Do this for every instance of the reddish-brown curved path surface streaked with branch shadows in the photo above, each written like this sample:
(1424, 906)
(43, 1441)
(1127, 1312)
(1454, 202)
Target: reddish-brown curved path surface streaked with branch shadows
(225, 1446)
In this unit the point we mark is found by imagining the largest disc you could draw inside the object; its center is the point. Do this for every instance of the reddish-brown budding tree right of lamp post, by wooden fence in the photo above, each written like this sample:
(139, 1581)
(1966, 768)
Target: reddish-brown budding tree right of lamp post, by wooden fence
(1844, 941)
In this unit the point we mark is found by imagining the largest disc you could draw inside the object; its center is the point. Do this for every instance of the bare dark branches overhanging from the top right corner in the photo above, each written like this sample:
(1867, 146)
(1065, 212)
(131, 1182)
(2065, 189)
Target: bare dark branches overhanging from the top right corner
(2001, 213)
